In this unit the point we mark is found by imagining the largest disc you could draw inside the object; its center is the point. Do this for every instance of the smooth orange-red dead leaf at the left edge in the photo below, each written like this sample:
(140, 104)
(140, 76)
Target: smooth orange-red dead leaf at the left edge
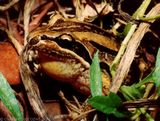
(9, 63)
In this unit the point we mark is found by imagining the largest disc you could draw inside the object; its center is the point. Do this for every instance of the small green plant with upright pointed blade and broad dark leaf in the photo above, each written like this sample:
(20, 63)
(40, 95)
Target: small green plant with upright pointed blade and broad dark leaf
(110, 104)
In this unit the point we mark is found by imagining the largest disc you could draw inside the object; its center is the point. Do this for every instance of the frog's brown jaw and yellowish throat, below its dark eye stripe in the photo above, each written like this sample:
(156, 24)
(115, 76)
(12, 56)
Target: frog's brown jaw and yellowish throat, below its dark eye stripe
(60, 63)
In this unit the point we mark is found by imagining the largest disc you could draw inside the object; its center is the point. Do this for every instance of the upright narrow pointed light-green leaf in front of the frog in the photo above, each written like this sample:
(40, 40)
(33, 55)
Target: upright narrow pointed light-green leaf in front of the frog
(95, 77)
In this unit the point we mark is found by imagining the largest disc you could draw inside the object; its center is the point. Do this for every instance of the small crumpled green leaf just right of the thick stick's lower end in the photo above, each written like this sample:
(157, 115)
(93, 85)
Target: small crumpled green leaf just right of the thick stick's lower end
(132, 92)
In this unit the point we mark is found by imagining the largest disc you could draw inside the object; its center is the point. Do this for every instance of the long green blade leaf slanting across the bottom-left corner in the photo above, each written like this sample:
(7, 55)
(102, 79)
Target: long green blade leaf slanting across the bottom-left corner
(8, 98)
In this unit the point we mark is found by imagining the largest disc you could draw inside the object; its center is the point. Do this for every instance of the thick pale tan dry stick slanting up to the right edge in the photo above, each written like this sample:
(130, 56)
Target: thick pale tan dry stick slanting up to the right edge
(129, 54)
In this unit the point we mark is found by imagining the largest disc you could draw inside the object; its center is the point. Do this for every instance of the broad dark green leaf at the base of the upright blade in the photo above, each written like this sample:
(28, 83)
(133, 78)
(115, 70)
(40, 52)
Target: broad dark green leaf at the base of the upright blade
(108, 104)
